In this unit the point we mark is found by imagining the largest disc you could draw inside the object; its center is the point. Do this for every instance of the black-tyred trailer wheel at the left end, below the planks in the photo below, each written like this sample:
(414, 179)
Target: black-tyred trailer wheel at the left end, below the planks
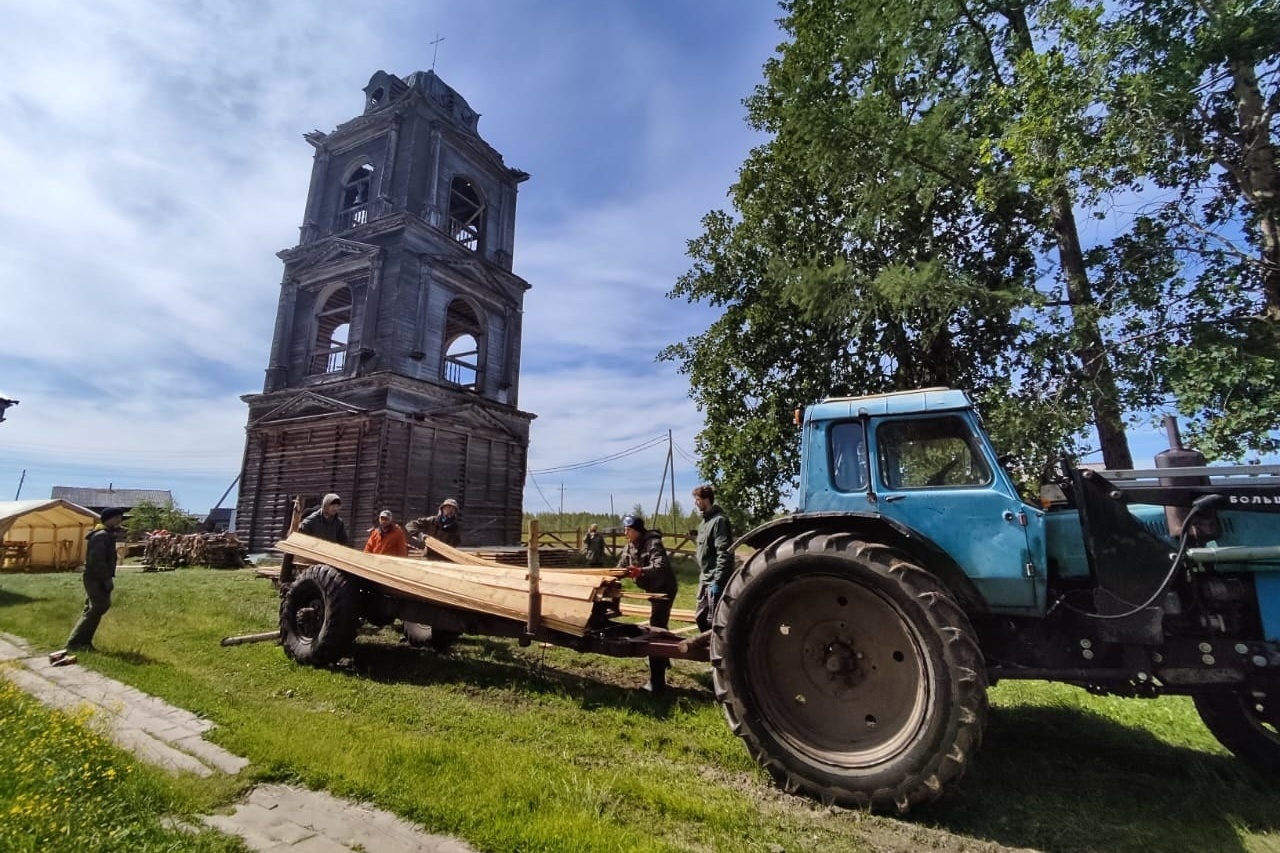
(319, 617)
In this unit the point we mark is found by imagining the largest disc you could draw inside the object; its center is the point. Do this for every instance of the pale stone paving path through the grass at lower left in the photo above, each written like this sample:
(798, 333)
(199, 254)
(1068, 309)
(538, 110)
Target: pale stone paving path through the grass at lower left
(272, 819)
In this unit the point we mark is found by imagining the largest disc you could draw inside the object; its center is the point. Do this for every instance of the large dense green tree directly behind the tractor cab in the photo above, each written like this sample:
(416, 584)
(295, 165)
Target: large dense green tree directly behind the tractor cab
(862, 258)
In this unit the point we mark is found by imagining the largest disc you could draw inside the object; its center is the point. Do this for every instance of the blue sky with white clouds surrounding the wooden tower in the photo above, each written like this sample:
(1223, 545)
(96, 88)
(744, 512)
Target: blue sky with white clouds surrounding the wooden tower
(156, 165)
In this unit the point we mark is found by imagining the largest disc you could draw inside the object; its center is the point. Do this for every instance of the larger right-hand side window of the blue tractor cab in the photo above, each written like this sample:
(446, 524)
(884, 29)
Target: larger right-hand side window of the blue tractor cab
(924, 454)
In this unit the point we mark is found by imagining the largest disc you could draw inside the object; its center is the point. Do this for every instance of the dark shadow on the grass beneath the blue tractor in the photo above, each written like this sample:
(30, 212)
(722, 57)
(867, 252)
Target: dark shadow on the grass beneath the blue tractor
(1067, 781)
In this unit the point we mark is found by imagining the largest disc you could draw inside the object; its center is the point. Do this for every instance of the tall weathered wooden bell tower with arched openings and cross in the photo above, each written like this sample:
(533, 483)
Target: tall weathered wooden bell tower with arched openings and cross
(395, 366)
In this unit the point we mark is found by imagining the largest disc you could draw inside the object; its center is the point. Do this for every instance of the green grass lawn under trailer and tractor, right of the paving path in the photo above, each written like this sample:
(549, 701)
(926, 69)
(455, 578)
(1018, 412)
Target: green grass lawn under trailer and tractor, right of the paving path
(546, 750)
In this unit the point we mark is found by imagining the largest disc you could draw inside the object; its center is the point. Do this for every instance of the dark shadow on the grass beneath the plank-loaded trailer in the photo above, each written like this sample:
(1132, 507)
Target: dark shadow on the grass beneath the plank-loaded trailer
(484, 664)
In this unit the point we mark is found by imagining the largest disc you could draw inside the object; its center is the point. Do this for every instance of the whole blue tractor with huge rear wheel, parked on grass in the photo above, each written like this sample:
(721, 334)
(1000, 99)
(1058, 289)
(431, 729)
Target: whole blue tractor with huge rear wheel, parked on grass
(854, 649)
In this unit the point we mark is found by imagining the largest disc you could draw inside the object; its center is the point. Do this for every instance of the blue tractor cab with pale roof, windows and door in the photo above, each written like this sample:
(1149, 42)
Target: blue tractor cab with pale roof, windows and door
(922, 463)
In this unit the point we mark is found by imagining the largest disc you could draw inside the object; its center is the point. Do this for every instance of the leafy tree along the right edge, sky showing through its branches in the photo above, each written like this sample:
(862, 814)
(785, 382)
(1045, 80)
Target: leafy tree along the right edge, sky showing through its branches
(1188, 111)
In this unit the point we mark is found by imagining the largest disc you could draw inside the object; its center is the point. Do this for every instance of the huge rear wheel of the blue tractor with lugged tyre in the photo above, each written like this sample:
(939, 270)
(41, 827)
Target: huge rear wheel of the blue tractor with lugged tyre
(849, 672)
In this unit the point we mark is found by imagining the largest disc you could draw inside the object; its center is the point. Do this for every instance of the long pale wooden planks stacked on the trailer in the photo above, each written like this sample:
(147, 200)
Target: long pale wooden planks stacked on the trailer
(568, 599)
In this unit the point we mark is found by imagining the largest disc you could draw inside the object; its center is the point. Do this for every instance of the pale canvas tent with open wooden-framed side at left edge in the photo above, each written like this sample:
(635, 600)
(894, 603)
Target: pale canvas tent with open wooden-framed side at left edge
(44, 535)
